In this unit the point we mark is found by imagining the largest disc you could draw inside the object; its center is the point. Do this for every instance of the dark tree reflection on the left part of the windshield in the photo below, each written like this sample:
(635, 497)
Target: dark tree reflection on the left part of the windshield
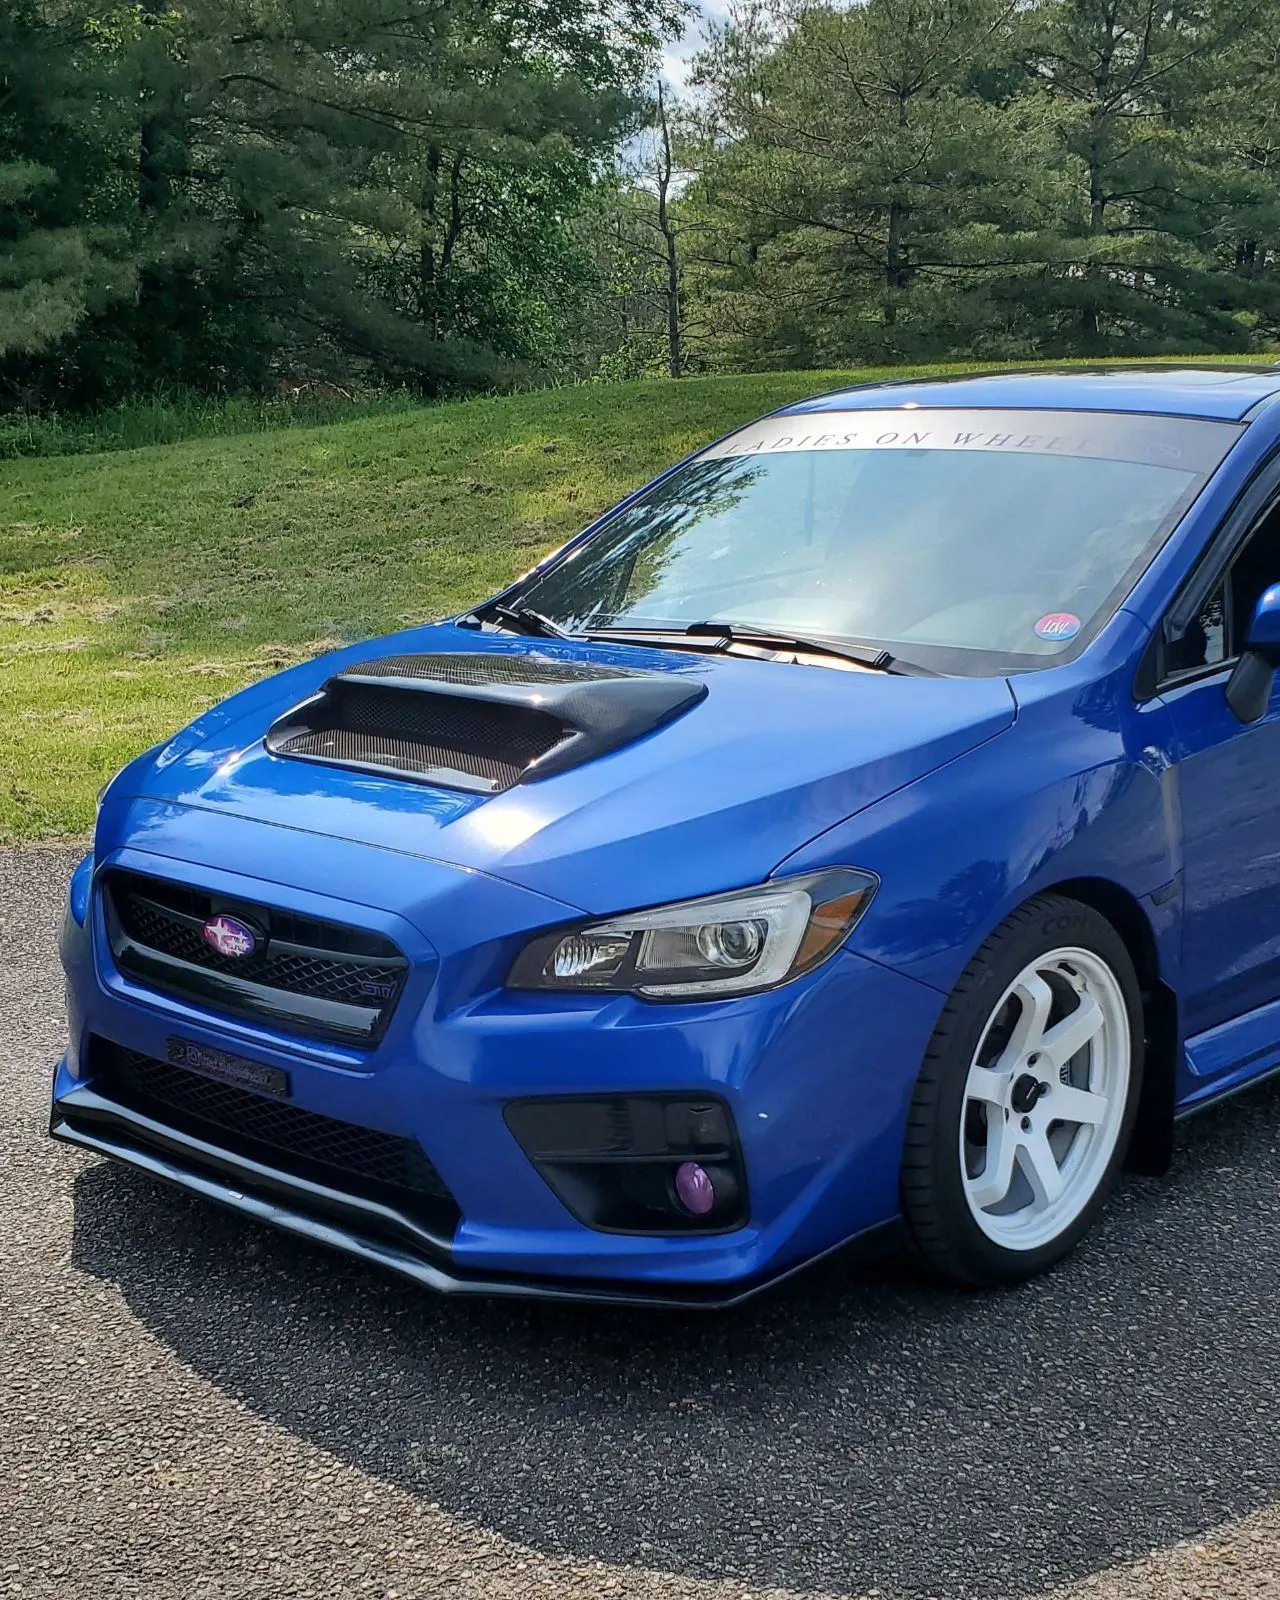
(626, 562)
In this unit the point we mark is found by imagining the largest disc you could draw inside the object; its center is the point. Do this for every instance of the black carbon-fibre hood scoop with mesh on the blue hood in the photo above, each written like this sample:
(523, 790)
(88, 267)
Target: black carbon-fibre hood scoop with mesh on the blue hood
(478, 722)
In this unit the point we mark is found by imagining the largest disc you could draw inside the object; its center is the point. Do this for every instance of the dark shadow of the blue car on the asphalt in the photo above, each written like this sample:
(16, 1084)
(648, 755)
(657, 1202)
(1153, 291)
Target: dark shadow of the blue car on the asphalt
(847, 1433)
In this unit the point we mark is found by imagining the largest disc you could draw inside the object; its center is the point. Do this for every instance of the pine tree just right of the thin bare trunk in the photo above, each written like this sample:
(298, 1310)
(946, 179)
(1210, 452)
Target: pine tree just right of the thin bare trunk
(866, 188)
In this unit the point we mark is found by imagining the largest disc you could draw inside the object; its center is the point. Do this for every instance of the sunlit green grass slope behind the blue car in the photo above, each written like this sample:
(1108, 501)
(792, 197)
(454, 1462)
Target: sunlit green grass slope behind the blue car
(138, 588)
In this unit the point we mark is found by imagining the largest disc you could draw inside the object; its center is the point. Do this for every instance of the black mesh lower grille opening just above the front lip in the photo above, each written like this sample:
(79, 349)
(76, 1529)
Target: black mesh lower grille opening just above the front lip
(302, 1143)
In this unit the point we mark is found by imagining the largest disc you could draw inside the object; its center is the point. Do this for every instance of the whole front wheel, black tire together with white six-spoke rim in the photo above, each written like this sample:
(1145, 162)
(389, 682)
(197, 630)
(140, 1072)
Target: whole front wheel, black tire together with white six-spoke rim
(980, 1198)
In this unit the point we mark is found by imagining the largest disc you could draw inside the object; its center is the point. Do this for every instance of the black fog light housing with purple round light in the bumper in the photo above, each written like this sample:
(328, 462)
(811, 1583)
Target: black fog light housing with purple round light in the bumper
(638, 1164)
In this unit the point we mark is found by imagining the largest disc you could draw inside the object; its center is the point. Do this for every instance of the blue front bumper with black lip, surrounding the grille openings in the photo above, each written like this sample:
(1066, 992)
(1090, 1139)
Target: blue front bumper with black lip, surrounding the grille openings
(817, 1078)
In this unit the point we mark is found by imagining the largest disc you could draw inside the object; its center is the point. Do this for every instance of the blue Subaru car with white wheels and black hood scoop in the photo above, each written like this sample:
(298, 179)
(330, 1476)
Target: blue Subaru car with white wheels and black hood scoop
(866, 833)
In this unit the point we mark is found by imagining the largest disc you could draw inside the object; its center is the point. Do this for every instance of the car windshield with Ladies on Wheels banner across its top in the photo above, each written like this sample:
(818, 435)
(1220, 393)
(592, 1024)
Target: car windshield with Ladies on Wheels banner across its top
(969, 542)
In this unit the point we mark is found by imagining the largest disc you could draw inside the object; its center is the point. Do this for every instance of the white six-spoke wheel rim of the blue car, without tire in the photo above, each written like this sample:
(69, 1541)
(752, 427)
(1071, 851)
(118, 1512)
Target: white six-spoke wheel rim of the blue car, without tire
(1046, 1098)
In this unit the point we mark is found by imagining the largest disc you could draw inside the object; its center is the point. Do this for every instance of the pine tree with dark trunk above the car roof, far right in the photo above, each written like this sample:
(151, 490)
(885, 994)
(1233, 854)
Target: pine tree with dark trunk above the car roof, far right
(1130, 86)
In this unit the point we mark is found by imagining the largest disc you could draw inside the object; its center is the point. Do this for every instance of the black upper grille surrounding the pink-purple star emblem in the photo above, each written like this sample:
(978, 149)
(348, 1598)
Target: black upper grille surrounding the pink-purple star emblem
(300, 956)
